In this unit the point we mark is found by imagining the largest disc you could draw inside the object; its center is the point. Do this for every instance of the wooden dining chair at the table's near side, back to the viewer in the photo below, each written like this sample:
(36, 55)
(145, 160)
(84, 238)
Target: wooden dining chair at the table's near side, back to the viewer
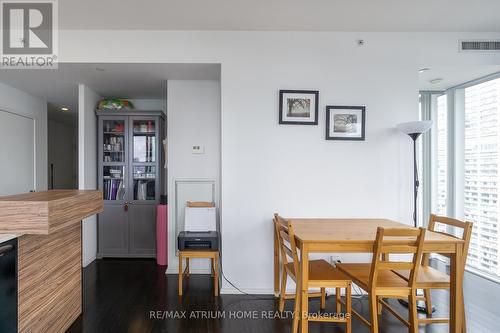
(378, 278)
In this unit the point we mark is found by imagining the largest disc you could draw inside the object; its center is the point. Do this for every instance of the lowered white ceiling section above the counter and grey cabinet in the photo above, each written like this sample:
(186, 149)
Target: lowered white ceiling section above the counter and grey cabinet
(135, 81)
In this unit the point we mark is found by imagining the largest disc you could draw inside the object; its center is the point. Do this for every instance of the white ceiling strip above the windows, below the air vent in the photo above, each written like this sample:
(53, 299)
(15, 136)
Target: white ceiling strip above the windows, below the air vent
(453, 76)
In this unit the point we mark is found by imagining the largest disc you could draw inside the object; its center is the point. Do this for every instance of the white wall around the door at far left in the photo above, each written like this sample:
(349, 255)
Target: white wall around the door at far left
(21, 103)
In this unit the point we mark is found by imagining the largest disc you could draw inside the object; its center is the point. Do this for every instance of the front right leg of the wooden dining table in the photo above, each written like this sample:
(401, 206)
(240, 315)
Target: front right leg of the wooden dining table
(456, 285)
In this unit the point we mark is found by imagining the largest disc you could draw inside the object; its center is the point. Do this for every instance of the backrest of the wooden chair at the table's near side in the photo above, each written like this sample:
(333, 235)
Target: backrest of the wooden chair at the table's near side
(401, 241)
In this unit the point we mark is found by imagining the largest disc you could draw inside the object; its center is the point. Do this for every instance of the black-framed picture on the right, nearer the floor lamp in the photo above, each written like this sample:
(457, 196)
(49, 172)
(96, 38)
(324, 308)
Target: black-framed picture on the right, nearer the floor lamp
(345, 123)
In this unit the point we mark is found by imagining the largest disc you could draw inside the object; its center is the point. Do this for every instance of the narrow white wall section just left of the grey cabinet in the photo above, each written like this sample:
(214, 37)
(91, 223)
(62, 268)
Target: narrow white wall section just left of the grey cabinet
(87, 164)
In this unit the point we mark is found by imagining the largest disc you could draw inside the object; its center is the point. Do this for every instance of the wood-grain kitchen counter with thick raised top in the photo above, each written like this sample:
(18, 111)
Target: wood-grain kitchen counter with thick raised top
(49, 254)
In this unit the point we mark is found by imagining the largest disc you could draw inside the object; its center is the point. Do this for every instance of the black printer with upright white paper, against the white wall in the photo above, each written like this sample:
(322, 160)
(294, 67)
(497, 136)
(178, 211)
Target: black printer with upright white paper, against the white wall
(200, 228)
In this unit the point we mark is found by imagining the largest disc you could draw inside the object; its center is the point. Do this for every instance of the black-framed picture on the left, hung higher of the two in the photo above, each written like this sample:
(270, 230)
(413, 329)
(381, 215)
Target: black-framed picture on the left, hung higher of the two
(299, 107)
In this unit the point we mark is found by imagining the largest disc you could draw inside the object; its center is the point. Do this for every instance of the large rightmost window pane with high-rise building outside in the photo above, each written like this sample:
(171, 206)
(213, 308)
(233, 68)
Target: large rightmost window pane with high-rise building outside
(480, 180)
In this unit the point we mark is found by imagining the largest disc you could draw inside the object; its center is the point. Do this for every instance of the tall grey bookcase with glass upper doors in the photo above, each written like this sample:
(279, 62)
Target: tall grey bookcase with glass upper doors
(131, 175)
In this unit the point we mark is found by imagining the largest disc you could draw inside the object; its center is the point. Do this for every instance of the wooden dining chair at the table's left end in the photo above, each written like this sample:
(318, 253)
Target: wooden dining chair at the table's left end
(321, 275)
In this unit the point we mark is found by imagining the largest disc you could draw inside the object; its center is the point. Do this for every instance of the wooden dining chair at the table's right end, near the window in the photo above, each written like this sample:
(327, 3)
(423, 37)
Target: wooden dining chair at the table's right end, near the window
(430, 278)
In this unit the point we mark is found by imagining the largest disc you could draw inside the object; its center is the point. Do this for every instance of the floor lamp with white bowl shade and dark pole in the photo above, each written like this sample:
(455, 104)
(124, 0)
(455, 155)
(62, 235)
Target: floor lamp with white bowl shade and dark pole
(414, 129)
